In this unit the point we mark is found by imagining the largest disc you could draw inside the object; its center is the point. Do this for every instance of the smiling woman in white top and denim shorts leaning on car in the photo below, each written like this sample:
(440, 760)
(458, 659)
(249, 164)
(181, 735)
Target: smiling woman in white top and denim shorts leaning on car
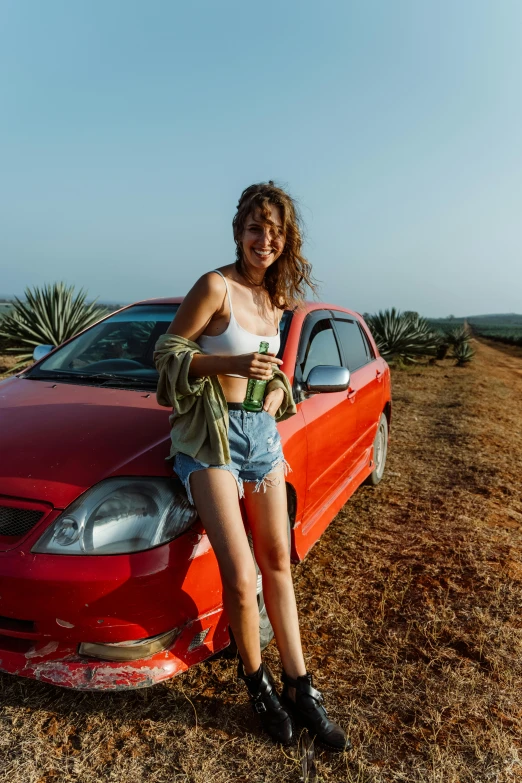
(223, 453)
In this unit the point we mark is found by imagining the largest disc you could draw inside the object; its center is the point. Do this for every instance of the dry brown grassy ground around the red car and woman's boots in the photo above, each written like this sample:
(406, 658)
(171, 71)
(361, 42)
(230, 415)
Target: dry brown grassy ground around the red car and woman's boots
(411, 618)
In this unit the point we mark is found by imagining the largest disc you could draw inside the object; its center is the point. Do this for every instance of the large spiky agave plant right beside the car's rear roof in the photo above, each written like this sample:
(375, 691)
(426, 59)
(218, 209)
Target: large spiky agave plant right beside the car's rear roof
(403, 335)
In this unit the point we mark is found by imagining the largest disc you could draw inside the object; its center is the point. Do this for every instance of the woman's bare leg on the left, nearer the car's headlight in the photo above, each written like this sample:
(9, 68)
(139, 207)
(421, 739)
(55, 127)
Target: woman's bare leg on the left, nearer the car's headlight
(216, 498)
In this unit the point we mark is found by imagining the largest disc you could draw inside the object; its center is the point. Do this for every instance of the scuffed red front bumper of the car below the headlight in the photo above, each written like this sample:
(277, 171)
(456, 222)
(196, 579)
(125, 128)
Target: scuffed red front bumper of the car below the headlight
(50, 604)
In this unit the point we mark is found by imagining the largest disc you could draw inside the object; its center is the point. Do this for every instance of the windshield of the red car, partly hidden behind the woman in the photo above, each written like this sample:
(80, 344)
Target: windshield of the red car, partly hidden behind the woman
(119, 350)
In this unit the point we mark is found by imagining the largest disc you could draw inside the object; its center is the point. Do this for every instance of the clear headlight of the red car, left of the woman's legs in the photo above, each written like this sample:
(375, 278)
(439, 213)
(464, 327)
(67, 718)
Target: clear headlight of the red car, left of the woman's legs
(118, 516)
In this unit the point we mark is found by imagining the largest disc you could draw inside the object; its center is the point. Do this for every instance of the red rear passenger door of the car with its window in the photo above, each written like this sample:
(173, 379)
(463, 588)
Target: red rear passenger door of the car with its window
(366, 377)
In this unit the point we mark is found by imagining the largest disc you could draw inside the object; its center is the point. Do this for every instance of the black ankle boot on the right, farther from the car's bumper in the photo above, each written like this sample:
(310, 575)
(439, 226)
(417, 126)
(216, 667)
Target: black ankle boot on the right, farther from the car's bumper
(305, 703)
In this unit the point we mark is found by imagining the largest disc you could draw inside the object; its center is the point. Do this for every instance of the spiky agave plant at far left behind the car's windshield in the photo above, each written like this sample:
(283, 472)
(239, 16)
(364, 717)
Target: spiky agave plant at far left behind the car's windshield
(48, 316)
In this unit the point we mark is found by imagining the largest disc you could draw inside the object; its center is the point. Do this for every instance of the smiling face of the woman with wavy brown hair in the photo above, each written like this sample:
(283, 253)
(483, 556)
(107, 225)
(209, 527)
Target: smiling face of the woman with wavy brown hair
(263, 241)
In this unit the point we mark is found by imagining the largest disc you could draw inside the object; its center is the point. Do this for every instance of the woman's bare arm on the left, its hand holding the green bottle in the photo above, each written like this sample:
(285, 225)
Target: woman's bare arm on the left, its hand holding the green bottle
(194, 314)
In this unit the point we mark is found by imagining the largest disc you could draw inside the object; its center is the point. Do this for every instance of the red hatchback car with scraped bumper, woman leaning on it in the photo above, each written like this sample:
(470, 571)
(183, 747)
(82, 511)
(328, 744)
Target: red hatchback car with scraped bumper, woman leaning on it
(107, 579)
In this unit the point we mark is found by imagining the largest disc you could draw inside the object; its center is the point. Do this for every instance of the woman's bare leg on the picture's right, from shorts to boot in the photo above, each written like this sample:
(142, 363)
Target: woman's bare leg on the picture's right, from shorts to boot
(268, 518)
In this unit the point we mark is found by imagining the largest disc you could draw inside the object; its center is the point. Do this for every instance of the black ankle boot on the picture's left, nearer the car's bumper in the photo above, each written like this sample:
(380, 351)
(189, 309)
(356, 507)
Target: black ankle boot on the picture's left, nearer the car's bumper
(265, 703)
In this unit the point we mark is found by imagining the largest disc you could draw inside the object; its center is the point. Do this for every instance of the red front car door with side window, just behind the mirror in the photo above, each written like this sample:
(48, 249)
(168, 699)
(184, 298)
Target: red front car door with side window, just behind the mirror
(330, 418)
